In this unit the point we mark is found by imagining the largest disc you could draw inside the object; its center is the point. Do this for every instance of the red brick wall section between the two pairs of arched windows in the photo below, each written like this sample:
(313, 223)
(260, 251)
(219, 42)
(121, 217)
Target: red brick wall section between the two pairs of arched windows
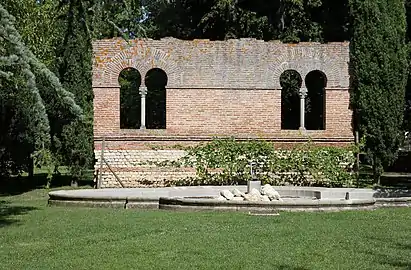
(223, 112)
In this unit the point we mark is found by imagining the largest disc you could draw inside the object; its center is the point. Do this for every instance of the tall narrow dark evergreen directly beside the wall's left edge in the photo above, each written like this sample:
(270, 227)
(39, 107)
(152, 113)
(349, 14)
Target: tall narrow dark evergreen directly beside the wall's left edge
(74, 68)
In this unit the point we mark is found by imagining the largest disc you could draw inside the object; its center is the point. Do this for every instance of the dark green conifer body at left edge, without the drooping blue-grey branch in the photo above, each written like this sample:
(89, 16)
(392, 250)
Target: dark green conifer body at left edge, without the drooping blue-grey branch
(24, 125)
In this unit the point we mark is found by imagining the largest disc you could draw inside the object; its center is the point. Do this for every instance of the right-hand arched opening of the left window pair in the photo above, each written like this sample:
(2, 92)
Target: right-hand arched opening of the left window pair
(156, 82)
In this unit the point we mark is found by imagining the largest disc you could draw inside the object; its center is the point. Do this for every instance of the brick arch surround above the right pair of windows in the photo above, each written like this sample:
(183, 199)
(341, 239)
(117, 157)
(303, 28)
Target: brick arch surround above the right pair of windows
(305, 65)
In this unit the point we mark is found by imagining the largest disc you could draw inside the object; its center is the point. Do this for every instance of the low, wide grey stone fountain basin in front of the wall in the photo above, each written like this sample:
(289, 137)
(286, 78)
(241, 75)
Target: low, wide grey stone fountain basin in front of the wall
(199, 198)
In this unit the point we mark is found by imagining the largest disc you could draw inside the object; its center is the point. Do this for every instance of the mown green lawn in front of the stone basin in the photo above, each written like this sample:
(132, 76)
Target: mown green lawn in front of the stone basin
(34, 236)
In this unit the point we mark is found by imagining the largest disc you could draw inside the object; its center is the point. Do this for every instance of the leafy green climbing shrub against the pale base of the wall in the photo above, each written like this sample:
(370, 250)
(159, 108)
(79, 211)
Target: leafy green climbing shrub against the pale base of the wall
(228, 162)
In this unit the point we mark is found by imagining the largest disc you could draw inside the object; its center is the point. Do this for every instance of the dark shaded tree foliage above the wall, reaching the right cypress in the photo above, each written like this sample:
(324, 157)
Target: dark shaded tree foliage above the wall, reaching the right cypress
(287, 20)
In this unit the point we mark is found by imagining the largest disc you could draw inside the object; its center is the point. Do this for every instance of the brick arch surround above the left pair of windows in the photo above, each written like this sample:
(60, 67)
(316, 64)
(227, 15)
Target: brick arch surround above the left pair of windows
(143, 59)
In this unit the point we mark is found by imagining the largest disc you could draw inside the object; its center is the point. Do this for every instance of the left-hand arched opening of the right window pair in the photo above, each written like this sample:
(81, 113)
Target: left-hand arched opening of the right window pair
(290, 81)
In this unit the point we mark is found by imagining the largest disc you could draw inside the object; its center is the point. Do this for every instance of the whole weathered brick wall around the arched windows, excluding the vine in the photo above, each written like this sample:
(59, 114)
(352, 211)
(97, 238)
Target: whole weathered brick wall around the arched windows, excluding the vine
(215, 88)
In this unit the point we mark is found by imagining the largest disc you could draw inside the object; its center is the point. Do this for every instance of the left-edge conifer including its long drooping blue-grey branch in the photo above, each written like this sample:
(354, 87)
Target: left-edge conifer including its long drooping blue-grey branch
(25, 123)
